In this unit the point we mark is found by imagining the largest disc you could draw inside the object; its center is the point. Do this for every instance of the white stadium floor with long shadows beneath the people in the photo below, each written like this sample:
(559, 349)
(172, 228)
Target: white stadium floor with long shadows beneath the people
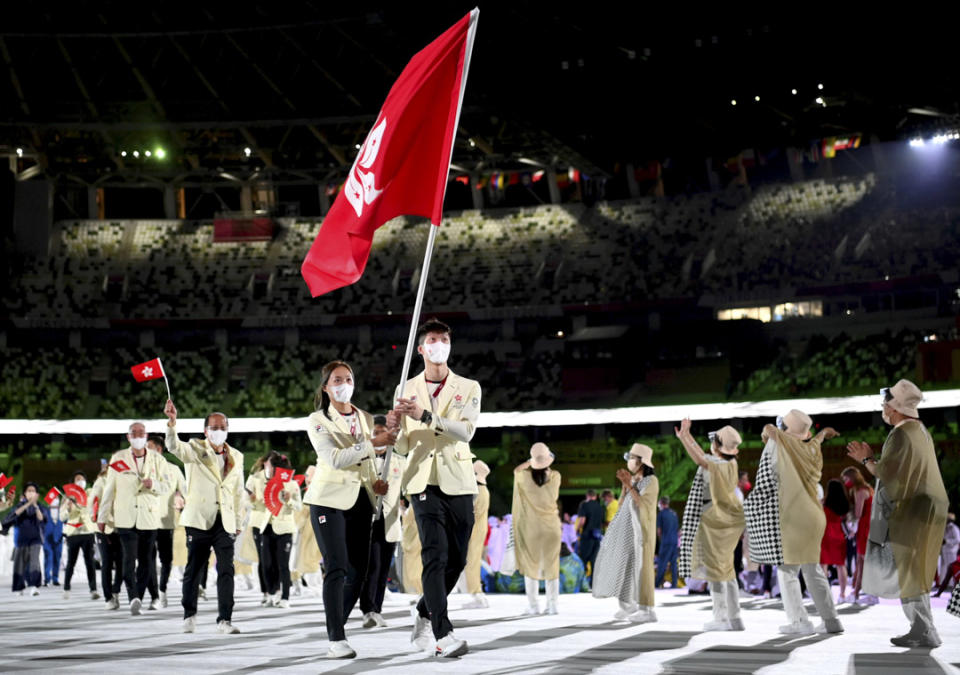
(78, 635)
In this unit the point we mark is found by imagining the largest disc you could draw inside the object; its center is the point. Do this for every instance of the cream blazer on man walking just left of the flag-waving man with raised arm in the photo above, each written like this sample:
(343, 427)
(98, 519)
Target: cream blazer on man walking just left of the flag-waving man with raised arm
(126, 500)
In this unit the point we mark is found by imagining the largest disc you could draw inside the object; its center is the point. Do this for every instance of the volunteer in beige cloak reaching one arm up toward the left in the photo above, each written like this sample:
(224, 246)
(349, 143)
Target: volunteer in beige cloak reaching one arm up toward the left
(713, 523)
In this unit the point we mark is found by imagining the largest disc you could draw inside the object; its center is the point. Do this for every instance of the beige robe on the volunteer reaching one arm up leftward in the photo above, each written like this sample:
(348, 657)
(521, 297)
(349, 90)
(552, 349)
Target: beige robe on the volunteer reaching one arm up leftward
(721, 524)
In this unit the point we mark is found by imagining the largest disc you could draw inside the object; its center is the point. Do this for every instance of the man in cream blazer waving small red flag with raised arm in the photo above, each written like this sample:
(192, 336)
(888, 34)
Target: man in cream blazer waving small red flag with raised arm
(210, 516)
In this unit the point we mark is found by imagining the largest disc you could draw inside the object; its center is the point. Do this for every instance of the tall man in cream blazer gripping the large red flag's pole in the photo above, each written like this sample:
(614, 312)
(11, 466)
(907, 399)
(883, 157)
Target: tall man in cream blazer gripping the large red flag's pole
(437, 413)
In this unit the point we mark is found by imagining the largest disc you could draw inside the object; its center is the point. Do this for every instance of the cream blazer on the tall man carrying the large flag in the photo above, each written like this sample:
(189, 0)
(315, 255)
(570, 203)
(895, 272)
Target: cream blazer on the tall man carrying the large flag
(443, 446)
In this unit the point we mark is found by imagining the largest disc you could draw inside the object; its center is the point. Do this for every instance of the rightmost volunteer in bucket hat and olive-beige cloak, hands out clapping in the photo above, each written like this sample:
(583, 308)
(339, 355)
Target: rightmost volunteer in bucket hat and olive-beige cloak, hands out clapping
(909, 514)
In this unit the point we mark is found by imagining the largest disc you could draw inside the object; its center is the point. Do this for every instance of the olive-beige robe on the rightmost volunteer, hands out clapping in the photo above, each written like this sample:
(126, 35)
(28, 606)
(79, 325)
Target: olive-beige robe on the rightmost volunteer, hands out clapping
(910, 475)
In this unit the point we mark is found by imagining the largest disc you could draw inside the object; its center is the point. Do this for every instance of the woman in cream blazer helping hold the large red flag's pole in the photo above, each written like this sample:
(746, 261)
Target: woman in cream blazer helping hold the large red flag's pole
(342, 496)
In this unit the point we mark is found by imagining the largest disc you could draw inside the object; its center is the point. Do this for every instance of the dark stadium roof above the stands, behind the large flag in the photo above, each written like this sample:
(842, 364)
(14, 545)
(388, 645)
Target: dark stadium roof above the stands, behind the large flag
(291, 88)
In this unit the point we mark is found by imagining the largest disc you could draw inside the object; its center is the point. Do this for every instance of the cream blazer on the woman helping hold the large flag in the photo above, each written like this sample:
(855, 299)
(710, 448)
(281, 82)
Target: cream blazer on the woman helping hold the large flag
(344, 464)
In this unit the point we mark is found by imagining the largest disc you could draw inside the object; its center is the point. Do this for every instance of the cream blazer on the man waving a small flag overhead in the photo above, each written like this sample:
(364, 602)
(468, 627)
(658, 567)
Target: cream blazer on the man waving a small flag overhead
(208, 491)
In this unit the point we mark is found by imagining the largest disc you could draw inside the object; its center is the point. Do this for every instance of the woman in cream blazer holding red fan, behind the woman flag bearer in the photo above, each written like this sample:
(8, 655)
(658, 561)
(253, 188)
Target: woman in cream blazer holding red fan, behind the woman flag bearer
(276, 532)
